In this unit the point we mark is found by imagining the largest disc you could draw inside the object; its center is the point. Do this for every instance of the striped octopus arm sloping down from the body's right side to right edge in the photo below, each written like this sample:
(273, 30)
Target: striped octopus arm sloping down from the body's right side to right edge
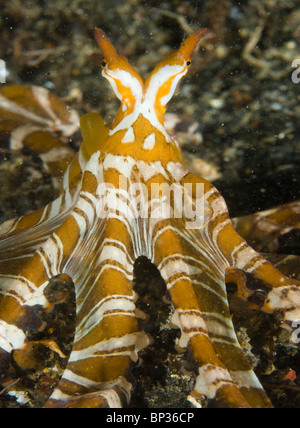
(245, 263)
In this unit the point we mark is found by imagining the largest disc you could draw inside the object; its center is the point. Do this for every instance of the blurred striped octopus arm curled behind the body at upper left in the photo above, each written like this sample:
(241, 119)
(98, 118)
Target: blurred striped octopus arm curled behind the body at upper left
(34, 120)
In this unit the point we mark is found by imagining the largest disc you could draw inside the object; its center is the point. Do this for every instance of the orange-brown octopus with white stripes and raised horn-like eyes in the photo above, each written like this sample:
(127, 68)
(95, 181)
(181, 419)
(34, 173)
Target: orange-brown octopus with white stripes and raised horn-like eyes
(127, 195)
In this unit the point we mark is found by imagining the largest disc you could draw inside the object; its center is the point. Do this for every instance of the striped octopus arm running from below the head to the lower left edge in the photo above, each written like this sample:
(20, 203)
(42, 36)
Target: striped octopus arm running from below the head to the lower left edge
(35, 248)
